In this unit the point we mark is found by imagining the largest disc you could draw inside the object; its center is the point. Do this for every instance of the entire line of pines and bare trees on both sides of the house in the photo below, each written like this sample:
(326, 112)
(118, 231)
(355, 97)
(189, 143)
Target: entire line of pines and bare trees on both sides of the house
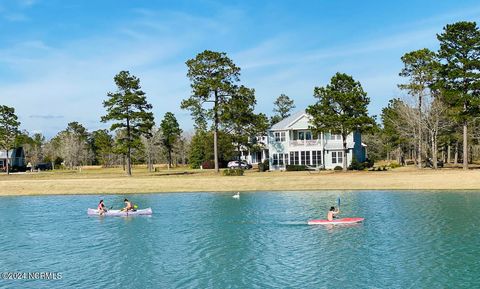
(436, 118)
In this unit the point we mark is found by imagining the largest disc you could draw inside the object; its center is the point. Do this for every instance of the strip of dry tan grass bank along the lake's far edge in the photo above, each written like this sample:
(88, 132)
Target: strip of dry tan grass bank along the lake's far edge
(114, 181)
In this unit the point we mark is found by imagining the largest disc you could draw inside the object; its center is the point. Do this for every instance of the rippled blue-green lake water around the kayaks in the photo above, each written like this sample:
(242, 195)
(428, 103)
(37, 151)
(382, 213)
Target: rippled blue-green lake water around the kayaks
(210, 240)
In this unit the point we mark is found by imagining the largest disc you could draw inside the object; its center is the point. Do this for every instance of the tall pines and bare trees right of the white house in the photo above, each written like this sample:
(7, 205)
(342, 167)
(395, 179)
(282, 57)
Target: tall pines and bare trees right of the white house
(438, 118)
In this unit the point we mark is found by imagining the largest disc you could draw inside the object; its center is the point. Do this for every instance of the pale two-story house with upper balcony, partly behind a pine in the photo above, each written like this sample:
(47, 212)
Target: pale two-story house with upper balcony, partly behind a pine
(291, 142)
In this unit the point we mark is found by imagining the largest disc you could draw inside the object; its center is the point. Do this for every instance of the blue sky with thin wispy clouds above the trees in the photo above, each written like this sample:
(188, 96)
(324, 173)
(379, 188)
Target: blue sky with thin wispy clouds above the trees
(58, 58)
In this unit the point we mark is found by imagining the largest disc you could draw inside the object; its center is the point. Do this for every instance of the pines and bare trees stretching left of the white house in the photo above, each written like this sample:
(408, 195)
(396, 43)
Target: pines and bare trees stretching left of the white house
(223, 111)
